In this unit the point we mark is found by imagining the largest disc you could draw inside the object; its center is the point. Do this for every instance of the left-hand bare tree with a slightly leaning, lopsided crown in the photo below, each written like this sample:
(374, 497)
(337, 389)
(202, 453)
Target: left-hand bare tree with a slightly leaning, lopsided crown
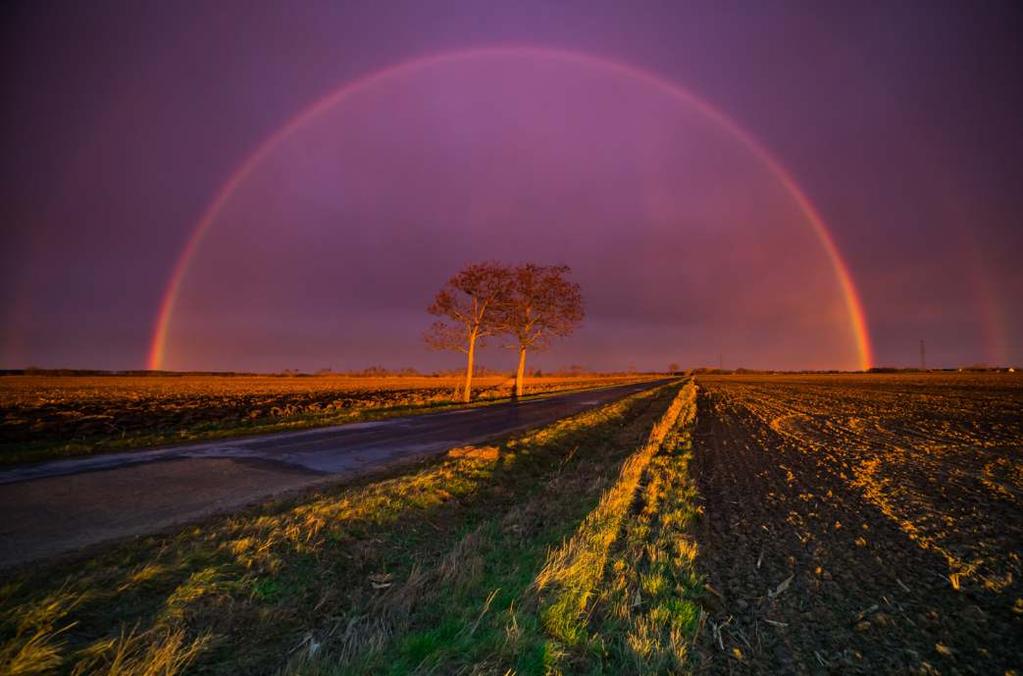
(468, 305)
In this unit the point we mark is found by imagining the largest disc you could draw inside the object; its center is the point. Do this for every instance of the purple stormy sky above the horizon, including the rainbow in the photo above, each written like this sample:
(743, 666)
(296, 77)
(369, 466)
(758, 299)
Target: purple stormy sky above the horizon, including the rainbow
(261, 187)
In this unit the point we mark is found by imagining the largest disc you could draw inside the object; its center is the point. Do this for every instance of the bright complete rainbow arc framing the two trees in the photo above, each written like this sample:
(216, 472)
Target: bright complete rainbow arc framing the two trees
(855, 308)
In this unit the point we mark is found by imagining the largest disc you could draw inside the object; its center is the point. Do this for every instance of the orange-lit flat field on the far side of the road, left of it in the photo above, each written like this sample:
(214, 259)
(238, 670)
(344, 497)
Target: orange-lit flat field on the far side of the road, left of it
(46, 417)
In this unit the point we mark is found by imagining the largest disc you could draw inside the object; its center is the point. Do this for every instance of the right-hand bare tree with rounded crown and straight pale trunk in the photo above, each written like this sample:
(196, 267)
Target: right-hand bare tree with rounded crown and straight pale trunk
(541, 304)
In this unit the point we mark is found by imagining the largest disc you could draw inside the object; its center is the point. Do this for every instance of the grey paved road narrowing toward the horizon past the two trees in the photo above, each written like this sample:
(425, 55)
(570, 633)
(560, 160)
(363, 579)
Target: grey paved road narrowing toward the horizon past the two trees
(56, 508)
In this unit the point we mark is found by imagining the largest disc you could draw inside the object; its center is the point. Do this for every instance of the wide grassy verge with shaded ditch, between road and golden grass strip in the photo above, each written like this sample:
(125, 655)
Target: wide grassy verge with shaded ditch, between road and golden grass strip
(433, 567)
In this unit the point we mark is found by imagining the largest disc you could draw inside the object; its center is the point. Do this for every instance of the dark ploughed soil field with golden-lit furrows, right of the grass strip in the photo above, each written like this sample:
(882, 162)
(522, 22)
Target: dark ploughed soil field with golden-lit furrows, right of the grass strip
(833, 545)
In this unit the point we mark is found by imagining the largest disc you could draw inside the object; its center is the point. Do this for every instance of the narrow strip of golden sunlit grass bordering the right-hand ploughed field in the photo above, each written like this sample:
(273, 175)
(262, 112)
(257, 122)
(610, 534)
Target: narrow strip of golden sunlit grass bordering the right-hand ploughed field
(618, 593)
